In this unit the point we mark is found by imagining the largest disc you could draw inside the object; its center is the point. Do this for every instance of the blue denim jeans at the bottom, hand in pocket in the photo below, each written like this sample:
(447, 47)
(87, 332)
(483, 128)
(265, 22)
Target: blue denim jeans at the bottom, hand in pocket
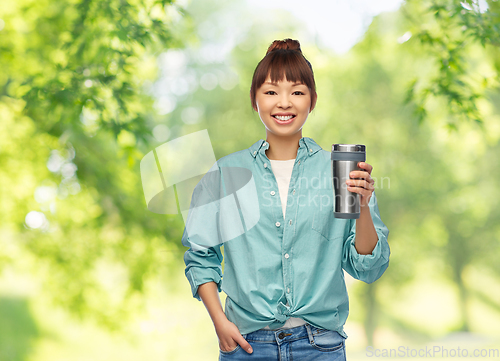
(303, 343)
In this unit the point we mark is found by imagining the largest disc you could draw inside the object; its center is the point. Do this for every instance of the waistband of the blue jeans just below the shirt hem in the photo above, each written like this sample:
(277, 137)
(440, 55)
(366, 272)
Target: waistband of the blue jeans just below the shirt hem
(286, 335)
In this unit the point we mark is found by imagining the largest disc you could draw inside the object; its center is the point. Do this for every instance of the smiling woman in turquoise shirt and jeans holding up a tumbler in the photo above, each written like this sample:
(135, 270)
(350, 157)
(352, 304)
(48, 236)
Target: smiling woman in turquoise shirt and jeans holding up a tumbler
(283, 276)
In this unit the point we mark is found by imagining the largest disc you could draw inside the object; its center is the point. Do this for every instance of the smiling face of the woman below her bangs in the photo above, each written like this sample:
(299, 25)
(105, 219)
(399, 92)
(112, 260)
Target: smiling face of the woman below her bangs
(283, 107)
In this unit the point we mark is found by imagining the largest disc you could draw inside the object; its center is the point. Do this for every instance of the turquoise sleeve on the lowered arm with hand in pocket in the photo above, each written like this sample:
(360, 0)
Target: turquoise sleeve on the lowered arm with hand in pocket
(203, 259)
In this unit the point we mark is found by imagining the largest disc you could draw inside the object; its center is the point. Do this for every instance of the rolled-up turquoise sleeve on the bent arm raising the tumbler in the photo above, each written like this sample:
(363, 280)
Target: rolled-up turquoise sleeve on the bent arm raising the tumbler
(367, 267)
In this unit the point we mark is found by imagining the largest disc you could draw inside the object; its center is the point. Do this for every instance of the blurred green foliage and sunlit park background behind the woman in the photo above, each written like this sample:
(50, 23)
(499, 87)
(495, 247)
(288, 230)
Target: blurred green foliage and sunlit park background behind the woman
(79, 82)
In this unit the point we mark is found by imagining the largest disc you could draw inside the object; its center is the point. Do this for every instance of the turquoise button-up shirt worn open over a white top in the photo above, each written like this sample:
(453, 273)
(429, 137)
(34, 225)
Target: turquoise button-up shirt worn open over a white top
(269, 260)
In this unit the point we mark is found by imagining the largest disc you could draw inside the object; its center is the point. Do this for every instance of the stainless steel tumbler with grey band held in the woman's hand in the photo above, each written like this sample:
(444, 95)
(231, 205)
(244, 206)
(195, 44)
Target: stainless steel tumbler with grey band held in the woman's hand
(345, 158)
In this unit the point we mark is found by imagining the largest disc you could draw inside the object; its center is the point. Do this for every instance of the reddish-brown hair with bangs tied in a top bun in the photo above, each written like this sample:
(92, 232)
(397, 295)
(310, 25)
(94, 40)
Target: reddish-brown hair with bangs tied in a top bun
(283, 57)
